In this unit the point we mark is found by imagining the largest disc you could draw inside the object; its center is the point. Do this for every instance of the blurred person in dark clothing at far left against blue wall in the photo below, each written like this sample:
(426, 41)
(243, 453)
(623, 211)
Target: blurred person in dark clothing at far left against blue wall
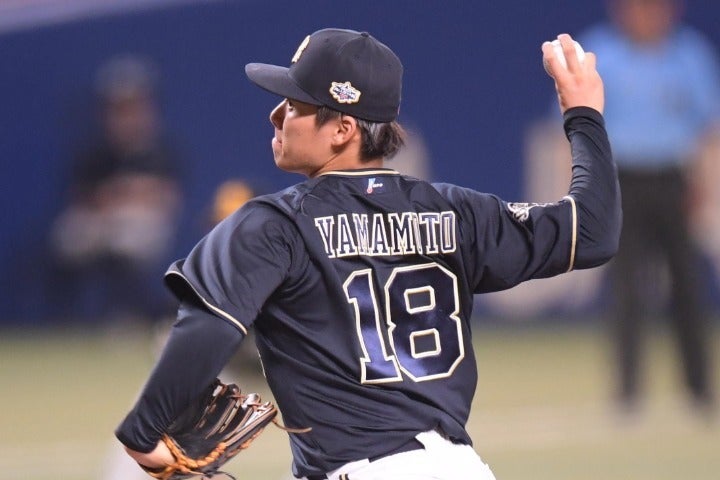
(112, 241)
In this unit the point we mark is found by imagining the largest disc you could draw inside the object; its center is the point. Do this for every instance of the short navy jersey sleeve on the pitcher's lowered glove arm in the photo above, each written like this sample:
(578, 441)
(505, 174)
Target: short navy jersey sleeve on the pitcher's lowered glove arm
(237, 266)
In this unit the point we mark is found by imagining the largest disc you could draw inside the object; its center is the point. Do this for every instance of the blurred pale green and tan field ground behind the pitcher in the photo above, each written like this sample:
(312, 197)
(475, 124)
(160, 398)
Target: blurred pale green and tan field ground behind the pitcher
(542, 409)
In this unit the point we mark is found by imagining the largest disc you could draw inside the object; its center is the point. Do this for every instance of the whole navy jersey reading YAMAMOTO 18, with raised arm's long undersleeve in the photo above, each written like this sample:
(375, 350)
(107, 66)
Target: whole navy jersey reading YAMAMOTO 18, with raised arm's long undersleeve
(360, 286)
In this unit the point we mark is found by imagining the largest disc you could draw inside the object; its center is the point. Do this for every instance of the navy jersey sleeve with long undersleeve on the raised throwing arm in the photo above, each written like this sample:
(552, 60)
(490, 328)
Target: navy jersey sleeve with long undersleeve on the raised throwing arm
(509, 243)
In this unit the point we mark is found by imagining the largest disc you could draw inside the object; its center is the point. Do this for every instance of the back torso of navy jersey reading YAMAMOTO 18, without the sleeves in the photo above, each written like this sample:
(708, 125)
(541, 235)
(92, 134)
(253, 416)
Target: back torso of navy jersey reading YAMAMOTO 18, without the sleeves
(378, 342)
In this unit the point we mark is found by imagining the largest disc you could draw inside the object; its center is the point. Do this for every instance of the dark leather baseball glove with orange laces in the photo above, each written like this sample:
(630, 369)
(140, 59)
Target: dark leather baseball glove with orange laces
(214, 429)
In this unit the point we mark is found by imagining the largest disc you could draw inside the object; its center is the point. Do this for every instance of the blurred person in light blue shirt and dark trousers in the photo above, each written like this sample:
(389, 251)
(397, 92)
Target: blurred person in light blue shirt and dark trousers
(657, 128)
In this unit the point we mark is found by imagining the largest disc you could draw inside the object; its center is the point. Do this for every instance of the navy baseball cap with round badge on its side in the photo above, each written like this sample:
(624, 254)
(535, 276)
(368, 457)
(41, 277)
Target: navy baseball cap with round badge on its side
(348, 71)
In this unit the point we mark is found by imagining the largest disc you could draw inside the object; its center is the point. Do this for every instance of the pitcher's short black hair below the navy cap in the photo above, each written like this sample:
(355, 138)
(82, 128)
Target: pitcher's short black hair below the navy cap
(379, 139)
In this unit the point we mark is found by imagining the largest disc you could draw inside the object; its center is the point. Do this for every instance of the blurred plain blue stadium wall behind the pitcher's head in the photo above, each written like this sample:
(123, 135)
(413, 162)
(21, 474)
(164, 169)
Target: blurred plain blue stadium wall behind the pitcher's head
(473, 83)
